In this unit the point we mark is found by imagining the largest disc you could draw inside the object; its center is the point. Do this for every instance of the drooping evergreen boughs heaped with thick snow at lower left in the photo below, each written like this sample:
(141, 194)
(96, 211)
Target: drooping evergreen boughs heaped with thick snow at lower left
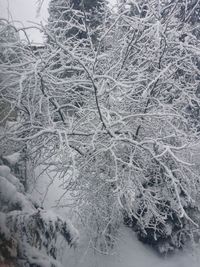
(29, 235)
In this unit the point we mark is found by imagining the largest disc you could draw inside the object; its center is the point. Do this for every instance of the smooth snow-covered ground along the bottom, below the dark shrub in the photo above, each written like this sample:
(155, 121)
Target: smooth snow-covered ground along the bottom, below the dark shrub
(129, 253)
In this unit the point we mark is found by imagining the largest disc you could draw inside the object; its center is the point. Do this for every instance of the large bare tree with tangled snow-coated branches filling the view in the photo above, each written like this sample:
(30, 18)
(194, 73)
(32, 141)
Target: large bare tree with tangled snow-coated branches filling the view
(114, 107)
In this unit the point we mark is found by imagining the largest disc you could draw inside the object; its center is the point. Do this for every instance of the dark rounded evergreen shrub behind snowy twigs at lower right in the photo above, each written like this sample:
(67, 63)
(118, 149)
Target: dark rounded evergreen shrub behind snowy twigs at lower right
(159, 220)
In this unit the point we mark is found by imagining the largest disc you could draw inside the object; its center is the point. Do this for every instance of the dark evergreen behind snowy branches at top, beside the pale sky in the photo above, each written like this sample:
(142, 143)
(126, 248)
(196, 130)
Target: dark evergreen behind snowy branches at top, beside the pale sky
(75, 18)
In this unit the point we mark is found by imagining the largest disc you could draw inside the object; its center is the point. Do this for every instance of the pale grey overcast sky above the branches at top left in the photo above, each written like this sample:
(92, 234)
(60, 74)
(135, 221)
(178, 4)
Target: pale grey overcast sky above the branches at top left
(24, 11)
